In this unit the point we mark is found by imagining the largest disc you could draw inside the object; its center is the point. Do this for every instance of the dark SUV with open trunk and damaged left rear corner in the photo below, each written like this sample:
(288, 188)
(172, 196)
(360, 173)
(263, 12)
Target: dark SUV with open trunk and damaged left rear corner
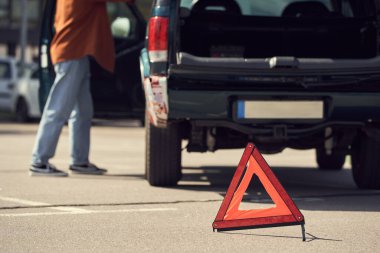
(297, 74)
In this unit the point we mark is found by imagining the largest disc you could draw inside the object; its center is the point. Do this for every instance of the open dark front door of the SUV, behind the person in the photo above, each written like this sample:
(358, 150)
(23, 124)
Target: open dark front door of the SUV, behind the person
(114, 95)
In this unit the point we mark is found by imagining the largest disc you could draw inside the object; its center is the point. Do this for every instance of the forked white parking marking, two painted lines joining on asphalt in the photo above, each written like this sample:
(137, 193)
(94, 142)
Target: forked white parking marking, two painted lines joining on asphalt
(71, 210)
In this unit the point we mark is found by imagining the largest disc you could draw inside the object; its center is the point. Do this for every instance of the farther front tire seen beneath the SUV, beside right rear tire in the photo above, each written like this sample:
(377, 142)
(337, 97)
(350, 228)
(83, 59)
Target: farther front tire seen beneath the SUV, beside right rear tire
(335, 161)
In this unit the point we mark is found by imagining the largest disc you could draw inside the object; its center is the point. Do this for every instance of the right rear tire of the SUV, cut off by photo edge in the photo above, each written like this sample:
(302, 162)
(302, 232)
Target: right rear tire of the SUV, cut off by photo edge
(365, 161)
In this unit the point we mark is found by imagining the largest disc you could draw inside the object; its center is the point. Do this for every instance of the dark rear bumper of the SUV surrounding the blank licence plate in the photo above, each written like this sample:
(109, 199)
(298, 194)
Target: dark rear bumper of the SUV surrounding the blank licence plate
(221, 105)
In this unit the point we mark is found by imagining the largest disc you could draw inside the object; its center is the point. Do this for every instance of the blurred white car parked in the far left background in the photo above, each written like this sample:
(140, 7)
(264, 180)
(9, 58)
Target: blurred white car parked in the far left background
(19, 94)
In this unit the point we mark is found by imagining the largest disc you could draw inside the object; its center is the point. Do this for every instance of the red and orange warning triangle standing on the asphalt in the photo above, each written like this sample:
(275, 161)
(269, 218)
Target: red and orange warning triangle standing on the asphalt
(285, 212)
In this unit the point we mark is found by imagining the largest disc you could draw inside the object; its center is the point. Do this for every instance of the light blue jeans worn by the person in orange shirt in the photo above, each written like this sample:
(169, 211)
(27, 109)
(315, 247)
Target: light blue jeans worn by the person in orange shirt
(69, 100)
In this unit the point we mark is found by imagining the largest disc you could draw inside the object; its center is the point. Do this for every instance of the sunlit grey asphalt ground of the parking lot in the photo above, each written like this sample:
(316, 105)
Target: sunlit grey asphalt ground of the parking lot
(120, 212)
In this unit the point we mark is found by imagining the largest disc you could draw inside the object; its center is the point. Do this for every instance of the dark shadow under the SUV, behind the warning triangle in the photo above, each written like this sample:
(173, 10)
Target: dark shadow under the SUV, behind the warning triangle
(310, 188)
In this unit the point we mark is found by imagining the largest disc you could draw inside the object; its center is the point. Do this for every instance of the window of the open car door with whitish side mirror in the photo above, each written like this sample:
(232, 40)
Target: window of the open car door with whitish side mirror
(123, 23)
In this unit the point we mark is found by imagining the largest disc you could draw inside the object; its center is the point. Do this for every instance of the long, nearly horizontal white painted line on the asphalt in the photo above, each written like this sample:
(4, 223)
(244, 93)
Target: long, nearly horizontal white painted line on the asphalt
(89, 212)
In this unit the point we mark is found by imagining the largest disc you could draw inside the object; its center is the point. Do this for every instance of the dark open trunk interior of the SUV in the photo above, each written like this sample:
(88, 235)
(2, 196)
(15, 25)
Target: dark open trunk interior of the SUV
(216, 34)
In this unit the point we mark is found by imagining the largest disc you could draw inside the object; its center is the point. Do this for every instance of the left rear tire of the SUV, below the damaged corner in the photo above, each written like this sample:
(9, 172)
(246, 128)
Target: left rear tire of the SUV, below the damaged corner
(162, 155)
